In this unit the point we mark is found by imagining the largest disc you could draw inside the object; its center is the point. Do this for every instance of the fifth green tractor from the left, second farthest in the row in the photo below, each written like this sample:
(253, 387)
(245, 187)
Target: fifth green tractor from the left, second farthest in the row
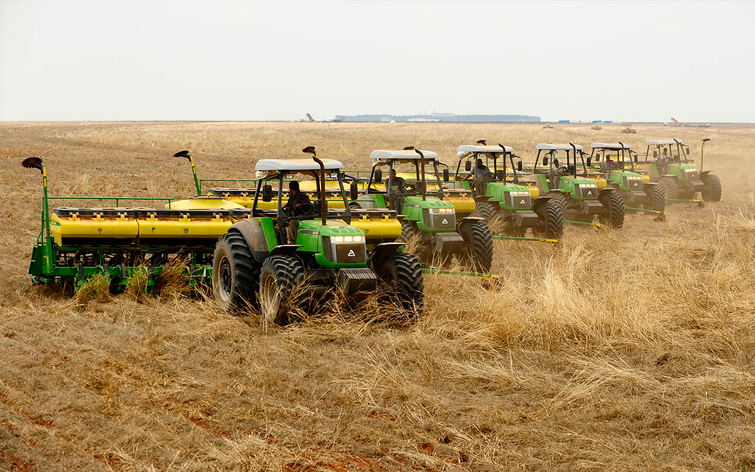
(615, 162)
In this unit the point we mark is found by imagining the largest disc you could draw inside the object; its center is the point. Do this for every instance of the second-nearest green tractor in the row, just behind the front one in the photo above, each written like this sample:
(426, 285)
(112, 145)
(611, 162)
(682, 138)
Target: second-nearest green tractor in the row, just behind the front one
(424, 213)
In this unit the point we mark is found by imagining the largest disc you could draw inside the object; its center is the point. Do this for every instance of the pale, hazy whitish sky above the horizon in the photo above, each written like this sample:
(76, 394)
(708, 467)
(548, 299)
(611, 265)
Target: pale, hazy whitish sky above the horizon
(261, 60)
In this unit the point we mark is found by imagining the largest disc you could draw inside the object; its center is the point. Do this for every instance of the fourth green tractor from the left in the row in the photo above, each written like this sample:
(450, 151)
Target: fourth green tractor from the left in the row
(580, 197)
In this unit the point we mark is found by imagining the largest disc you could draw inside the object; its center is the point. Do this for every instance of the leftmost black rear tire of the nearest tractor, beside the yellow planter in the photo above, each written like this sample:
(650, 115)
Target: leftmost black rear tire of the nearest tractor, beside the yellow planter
(235, 274)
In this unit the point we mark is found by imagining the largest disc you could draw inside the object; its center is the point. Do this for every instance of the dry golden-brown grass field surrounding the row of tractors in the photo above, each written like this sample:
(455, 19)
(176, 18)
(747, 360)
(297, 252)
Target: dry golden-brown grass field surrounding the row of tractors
(616, 350)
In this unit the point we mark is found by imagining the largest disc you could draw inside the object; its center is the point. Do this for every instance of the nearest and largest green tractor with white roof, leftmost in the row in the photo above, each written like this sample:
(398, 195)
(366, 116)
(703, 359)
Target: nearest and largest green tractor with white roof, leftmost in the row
(254, 265)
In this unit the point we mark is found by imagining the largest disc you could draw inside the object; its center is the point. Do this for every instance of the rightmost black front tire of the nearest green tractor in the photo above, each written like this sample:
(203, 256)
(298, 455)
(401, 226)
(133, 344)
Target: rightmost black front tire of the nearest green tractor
(401, 272)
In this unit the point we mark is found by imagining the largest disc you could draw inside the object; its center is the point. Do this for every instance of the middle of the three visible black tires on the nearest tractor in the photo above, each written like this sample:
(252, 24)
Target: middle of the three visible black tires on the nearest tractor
(279, 276)
